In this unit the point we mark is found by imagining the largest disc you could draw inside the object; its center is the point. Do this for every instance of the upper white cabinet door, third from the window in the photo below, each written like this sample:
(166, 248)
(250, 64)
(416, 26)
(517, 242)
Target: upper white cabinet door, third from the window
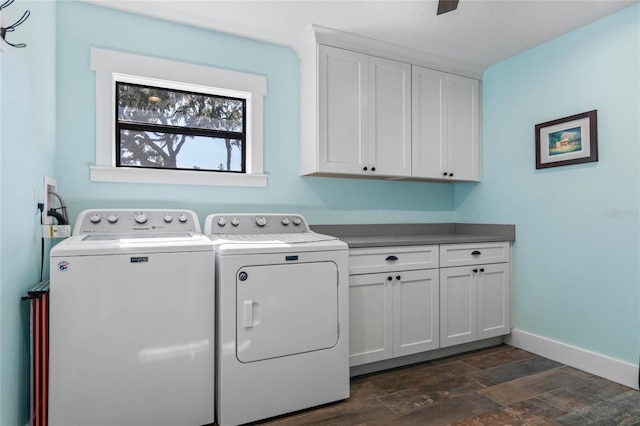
(429, 123)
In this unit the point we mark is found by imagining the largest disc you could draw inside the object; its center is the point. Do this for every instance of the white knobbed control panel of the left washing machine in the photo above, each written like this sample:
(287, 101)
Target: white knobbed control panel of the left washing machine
(126, 221)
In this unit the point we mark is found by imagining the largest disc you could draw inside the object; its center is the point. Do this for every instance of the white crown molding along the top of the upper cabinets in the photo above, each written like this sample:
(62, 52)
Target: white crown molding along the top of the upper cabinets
(316, 34)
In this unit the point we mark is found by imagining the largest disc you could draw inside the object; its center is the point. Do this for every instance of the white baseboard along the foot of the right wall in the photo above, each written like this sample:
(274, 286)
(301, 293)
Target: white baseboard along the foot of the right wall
(591, 362)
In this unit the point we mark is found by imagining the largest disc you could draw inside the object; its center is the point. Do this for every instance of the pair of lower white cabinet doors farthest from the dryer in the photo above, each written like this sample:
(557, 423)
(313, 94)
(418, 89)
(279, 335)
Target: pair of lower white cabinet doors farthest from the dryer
(475, 303)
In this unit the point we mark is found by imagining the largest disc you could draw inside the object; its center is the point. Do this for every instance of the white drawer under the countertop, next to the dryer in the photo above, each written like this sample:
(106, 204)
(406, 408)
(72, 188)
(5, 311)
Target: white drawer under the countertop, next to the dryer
(383, 259)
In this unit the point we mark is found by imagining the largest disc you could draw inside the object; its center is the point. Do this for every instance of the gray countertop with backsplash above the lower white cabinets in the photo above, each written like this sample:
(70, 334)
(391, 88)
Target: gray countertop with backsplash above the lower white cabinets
(381, 235)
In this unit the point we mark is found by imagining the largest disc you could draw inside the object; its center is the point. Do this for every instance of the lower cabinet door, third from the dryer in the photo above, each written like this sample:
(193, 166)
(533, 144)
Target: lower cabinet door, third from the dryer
(458, 306)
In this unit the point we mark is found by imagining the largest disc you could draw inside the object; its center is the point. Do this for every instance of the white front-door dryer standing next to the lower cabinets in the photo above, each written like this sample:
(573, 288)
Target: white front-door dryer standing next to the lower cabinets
(282, 316)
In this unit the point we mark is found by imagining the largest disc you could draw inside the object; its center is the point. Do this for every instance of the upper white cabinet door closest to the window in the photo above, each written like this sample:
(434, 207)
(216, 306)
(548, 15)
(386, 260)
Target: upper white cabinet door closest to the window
(343, 110)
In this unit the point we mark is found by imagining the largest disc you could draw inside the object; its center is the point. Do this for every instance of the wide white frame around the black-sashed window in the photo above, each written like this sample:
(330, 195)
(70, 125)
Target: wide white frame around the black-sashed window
(111, 66)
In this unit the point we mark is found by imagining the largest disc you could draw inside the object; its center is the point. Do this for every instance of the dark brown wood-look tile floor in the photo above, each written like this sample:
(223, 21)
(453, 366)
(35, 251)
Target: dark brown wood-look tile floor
(501, 385)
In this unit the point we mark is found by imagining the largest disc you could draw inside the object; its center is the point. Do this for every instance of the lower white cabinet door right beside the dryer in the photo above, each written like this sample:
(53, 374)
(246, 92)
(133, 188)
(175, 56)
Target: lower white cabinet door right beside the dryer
(370, 311)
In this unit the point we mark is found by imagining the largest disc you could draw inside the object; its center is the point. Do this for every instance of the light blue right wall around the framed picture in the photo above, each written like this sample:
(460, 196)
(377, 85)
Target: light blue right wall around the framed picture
(576, 257)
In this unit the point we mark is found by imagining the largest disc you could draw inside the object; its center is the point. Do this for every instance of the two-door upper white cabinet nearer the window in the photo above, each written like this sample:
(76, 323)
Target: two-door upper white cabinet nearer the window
(364, 116)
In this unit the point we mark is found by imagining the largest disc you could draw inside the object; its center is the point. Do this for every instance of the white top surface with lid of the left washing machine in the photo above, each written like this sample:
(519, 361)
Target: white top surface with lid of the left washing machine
(97, 244)
